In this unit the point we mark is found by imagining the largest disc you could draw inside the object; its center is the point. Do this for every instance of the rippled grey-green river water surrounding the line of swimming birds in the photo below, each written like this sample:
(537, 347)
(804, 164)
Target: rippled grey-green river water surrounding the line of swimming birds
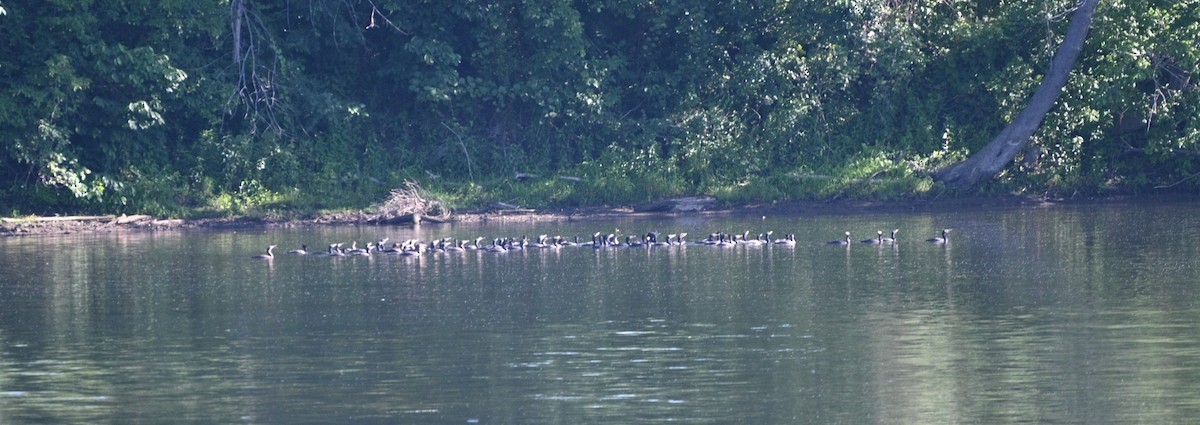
(1047, 315)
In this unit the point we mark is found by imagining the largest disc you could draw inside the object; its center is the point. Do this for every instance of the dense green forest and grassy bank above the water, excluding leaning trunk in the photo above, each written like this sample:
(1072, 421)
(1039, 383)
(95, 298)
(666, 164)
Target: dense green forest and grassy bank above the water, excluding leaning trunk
(185, 109)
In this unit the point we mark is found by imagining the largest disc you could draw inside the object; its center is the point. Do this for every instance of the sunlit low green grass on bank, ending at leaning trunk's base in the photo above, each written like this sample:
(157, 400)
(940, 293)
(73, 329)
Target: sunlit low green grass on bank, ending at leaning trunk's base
(874, 178)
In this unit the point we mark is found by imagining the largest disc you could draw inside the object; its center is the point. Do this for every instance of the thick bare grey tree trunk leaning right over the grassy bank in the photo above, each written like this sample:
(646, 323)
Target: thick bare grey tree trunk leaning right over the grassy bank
(1000, 153)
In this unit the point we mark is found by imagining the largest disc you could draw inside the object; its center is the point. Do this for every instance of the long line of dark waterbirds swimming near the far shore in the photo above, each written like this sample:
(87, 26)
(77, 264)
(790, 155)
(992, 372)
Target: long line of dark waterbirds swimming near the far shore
(651, 240)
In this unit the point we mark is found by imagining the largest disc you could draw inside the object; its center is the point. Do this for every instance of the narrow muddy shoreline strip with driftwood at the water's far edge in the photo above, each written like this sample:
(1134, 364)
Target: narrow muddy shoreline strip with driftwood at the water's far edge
(61, 226)
